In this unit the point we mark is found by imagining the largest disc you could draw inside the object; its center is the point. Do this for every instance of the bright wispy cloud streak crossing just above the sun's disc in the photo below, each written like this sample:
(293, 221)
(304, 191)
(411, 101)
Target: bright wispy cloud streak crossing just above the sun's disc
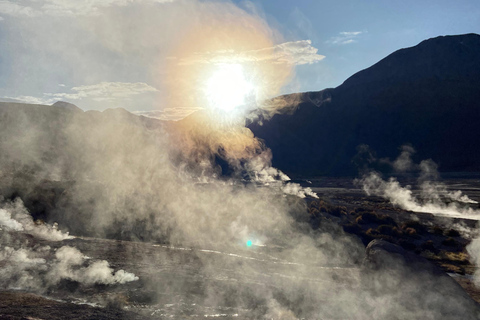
(293, 53)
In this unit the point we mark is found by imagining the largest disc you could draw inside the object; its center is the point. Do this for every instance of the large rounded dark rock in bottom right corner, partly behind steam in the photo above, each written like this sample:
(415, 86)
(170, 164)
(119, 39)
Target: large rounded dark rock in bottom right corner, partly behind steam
(422, 288)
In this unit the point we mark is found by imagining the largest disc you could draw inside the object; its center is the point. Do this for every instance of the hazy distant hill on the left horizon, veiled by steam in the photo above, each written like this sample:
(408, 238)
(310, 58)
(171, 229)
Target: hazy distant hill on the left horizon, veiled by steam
(39, 134)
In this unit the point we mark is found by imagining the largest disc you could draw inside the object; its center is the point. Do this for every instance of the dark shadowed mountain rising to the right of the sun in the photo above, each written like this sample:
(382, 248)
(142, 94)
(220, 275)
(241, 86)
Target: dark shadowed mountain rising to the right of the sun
(427, 96)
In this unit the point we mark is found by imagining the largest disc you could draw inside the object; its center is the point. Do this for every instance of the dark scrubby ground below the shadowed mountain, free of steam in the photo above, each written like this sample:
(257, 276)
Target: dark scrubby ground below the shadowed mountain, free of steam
(438, 238)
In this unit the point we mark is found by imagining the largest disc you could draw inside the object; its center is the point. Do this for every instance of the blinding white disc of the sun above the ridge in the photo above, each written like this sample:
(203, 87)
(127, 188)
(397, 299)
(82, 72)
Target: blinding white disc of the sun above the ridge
(228, 88)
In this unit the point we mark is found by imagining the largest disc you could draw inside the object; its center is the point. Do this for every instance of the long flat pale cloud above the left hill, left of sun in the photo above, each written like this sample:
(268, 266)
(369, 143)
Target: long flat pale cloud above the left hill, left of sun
(104, 91)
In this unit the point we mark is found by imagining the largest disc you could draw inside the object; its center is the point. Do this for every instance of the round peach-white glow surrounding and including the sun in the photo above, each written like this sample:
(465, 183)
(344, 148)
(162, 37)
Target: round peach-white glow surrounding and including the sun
(222, 62)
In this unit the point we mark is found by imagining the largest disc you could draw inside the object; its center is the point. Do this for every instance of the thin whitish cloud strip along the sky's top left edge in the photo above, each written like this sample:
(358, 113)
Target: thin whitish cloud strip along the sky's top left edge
(32, 8)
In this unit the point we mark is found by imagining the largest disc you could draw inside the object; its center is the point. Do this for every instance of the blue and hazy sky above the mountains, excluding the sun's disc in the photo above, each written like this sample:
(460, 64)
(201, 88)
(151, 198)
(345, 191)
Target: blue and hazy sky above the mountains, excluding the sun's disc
(137, 54)
